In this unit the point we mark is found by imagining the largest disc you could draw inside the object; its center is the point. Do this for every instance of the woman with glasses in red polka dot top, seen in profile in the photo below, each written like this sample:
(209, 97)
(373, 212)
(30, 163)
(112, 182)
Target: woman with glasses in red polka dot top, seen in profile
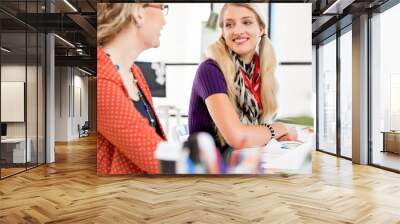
(128, 127)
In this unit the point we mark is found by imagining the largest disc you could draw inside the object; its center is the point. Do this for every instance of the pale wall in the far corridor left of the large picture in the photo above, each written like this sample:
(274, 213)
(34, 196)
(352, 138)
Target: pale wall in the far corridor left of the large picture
(67, 115)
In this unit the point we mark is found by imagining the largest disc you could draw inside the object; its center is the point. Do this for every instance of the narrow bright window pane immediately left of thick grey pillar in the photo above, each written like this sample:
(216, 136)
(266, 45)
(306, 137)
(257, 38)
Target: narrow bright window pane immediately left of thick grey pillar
(346, 94)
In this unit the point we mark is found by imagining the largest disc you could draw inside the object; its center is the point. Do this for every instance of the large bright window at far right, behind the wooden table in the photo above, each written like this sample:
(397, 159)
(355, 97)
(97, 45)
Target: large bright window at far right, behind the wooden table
(385, 85)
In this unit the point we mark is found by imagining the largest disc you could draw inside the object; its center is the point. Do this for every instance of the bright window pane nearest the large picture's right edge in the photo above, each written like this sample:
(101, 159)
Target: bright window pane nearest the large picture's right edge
(327, 97)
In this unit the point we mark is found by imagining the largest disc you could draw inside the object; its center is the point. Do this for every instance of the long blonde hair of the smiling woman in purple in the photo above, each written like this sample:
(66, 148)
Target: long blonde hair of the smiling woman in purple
(219, 52)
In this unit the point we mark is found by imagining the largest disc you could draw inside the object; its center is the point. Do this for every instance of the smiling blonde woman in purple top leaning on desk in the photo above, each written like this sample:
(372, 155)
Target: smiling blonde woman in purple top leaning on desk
(234, 91)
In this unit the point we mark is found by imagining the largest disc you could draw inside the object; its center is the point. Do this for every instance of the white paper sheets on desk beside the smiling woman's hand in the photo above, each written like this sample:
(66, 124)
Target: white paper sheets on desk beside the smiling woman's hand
(277, 159)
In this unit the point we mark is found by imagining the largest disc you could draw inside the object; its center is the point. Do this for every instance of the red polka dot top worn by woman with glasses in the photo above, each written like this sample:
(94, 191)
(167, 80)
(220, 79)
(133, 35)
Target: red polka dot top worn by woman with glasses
(126, 142)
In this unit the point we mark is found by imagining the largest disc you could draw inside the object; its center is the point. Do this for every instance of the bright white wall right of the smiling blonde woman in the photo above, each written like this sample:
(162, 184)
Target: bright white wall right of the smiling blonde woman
(291, 38)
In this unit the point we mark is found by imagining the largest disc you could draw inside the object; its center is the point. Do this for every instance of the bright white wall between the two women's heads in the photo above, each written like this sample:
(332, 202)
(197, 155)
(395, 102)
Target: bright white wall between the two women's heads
(180, 43)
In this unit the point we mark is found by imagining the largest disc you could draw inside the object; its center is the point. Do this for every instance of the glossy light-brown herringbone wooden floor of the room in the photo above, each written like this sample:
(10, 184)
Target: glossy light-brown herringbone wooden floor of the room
(70, 192)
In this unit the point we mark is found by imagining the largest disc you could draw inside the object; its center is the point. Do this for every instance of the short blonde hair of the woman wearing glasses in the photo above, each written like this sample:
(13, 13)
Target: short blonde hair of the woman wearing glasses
(112, 18)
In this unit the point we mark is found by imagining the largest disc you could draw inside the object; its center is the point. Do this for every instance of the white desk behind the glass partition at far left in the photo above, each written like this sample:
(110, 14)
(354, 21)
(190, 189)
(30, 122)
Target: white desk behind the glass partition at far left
(18, 149)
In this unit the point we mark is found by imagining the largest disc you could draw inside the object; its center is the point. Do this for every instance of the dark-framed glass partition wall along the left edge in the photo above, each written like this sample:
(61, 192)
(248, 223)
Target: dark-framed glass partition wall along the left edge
(22, 77)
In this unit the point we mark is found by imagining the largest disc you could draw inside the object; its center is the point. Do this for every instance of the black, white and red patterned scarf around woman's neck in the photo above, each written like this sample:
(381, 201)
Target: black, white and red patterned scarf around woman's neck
(247, 84)
